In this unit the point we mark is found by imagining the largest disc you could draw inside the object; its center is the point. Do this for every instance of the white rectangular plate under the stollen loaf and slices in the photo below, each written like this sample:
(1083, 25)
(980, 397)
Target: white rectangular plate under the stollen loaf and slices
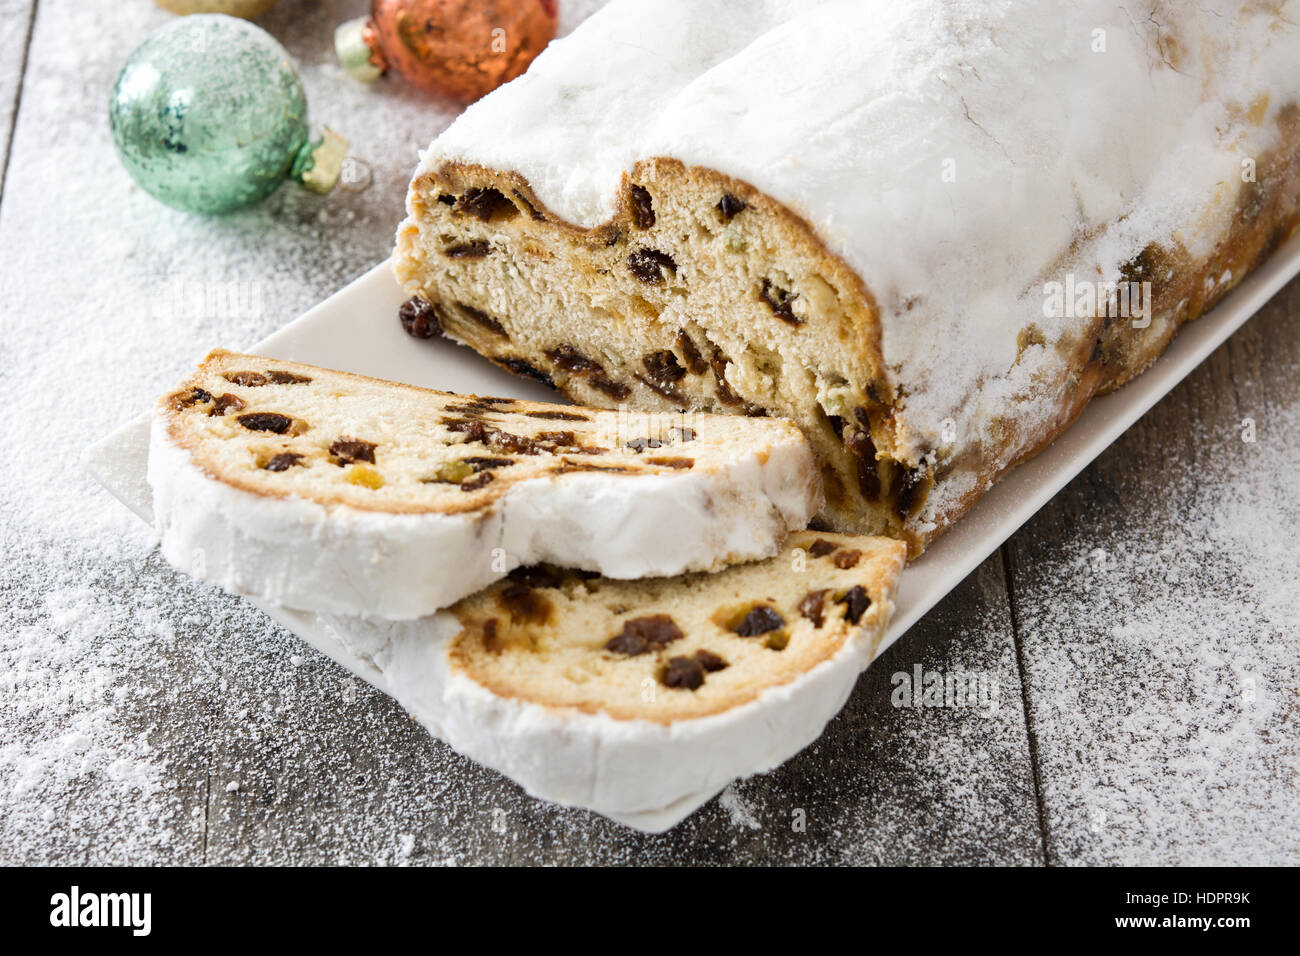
(357, 331)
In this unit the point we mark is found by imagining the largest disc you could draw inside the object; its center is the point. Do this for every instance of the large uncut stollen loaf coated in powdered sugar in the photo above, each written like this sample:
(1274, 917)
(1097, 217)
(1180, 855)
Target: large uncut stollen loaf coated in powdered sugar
(913, 228)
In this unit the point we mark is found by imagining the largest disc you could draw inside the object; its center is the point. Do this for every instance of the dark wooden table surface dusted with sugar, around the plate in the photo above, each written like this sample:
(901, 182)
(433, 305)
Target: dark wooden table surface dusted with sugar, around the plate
(1139, 633)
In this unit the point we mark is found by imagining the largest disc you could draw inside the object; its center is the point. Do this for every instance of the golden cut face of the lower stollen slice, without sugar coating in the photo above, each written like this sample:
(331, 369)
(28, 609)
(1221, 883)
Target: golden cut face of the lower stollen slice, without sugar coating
(548, 647)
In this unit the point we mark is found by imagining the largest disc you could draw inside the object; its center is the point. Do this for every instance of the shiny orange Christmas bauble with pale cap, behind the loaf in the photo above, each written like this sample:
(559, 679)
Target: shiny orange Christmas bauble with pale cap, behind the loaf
(458, 49)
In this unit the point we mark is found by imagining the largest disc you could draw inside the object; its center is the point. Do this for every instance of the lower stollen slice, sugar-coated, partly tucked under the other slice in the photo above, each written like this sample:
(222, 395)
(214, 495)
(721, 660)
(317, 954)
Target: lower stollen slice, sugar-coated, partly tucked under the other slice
(638, 698)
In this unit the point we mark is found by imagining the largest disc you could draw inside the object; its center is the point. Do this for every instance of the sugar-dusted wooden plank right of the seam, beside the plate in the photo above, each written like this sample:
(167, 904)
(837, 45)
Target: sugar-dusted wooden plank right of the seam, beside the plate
(1158, 615)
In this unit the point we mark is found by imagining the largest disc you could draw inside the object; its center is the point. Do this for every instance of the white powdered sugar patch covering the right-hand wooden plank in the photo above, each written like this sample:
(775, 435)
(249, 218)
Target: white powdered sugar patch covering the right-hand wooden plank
(1163, 667)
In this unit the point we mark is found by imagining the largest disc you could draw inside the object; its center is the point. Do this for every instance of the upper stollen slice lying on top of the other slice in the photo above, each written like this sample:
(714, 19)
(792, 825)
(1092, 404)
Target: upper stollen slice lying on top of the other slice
(332, 492)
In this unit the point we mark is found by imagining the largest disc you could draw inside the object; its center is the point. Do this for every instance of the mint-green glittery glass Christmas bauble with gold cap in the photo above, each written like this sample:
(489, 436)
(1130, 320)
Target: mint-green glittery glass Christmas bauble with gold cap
(209, 115)
